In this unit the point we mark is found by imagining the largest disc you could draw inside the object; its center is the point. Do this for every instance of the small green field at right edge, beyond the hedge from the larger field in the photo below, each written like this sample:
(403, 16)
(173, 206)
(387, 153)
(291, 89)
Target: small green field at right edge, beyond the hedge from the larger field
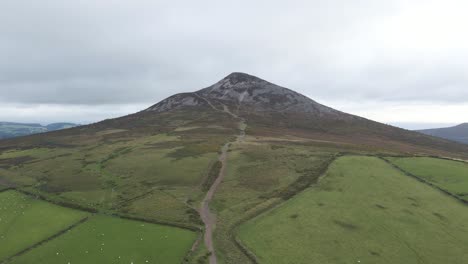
(449, 175)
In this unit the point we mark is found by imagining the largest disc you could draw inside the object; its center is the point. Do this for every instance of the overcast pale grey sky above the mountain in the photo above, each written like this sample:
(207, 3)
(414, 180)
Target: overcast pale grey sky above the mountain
(400, 62)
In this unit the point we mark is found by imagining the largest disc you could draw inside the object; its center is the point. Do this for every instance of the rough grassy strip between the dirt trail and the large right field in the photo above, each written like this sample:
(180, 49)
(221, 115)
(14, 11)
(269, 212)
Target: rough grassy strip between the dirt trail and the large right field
(258, 175)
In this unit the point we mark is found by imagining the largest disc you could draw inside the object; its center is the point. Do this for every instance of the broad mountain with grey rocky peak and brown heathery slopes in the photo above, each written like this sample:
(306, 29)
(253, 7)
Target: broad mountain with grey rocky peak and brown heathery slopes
(270, 110)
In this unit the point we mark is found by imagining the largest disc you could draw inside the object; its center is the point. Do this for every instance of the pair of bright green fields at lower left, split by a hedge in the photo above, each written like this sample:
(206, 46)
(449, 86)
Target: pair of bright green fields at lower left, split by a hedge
(34, 231)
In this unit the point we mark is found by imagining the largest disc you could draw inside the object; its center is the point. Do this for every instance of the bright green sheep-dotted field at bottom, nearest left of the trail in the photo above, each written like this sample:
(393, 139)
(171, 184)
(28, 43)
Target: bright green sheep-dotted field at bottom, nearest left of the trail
(104, 239)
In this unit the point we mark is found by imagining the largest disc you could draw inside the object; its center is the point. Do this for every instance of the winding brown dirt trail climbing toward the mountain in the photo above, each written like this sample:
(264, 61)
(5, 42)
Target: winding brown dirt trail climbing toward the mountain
(208, 217)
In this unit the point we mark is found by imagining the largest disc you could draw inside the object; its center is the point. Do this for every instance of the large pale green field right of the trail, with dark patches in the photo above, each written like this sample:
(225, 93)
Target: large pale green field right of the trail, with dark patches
(362, 211)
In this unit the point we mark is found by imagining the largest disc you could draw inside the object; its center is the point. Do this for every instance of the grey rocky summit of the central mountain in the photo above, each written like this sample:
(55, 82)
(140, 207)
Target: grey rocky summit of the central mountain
(247, 93)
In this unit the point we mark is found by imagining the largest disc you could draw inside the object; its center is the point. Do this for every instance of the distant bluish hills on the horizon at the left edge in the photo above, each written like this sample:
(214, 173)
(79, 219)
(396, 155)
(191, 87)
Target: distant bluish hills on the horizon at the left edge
(11, 129)
